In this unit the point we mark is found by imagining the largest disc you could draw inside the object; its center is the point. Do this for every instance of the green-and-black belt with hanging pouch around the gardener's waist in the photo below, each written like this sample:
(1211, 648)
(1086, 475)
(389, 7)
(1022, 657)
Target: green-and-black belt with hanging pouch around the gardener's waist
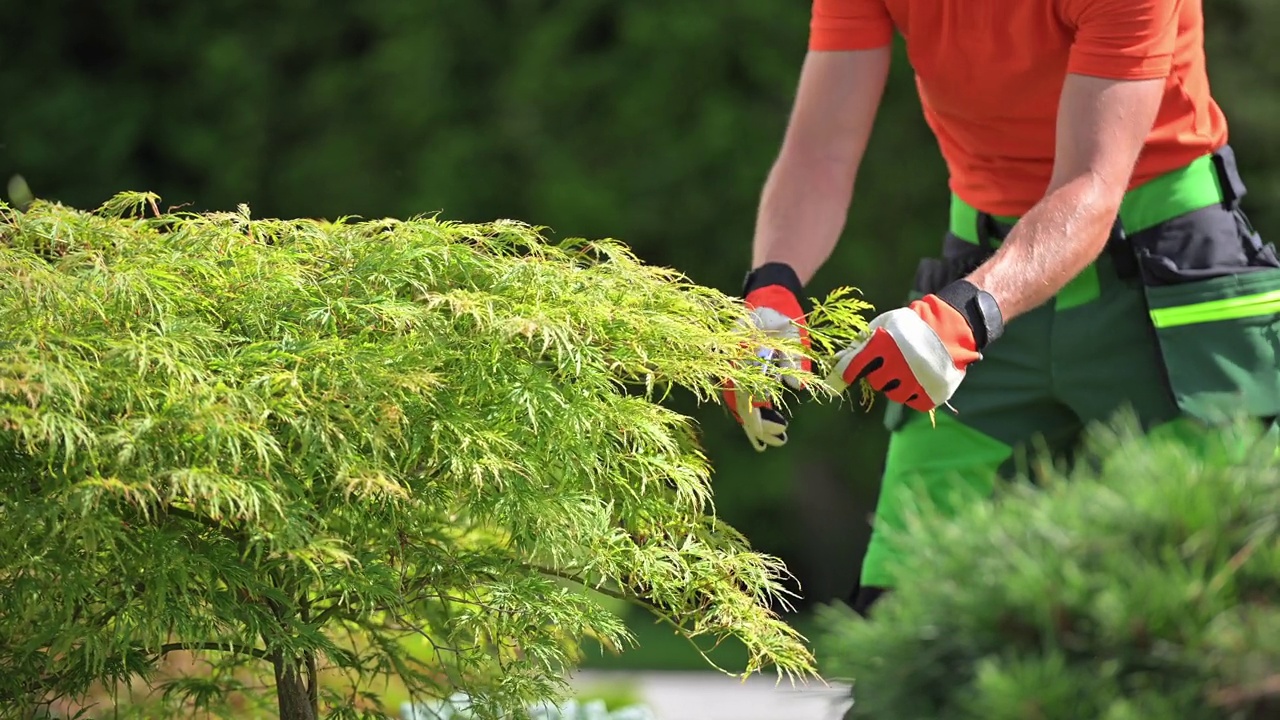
(1210, 284)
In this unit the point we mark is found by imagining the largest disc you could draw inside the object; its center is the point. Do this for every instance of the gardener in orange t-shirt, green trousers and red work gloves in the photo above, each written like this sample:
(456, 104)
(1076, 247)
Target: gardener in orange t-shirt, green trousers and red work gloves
(1096, 261)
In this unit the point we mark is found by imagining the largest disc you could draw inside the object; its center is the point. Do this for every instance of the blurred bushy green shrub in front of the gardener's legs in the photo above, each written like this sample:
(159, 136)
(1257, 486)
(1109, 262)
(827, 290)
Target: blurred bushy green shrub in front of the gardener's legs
(1144, 589)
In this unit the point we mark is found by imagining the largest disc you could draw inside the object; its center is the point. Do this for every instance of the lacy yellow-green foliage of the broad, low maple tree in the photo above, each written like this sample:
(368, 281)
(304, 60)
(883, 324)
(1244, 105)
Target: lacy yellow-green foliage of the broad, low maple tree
(300, 444)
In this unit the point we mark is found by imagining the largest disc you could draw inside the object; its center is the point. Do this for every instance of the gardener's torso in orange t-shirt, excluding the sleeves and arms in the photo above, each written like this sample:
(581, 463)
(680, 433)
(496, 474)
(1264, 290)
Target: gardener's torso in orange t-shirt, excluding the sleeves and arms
(990, 72)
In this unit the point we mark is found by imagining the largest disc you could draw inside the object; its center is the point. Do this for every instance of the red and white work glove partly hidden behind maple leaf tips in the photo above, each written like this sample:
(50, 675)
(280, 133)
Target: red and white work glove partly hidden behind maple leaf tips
(772, 295)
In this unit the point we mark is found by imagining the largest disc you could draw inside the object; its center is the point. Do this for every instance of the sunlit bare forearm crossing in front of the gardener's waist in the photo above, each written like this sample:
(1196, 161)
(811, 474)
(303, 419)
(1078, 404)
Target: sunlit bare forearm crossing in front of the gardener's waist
(1049, 247)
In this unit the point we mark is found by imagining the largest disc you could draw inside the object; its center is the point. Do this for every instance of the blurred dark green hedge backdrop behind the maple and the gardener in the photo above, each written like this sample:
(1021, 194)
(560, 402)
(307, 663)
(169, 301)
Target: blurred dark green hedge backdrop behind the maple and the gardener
(650, 122)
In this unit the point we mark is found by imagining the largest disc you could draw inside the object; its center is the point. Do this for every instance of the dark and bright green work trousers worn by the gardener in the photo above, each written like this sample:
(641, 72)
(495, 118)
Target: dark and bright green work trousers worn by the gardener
(1180, 320)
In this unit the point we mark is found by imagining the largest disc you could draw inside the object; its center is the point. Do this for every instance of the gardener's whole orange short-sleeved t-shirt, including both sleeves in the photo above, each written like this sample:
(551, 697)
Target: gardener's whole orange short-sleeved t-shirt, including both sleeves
(989, 74)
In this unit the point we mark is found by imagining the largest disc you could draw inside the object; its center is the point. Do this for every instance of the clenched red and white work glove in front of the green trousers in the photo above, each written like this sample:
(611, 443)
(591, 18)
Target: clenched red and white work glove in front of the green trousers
(918, 356)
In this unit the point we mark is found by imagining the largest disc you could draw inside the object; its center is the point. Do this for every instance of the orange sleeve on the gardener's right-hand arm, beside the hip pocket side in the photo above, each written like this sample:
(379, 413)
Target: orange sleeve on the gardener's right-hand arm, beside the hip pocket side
(1123, 39)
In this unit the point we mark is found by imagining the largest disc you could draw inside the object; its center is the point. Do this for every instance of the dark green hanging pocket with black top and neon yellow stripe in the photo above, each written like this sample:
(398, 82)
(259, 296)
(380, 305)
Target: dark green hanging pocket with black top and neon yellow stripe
(1213, 291)
